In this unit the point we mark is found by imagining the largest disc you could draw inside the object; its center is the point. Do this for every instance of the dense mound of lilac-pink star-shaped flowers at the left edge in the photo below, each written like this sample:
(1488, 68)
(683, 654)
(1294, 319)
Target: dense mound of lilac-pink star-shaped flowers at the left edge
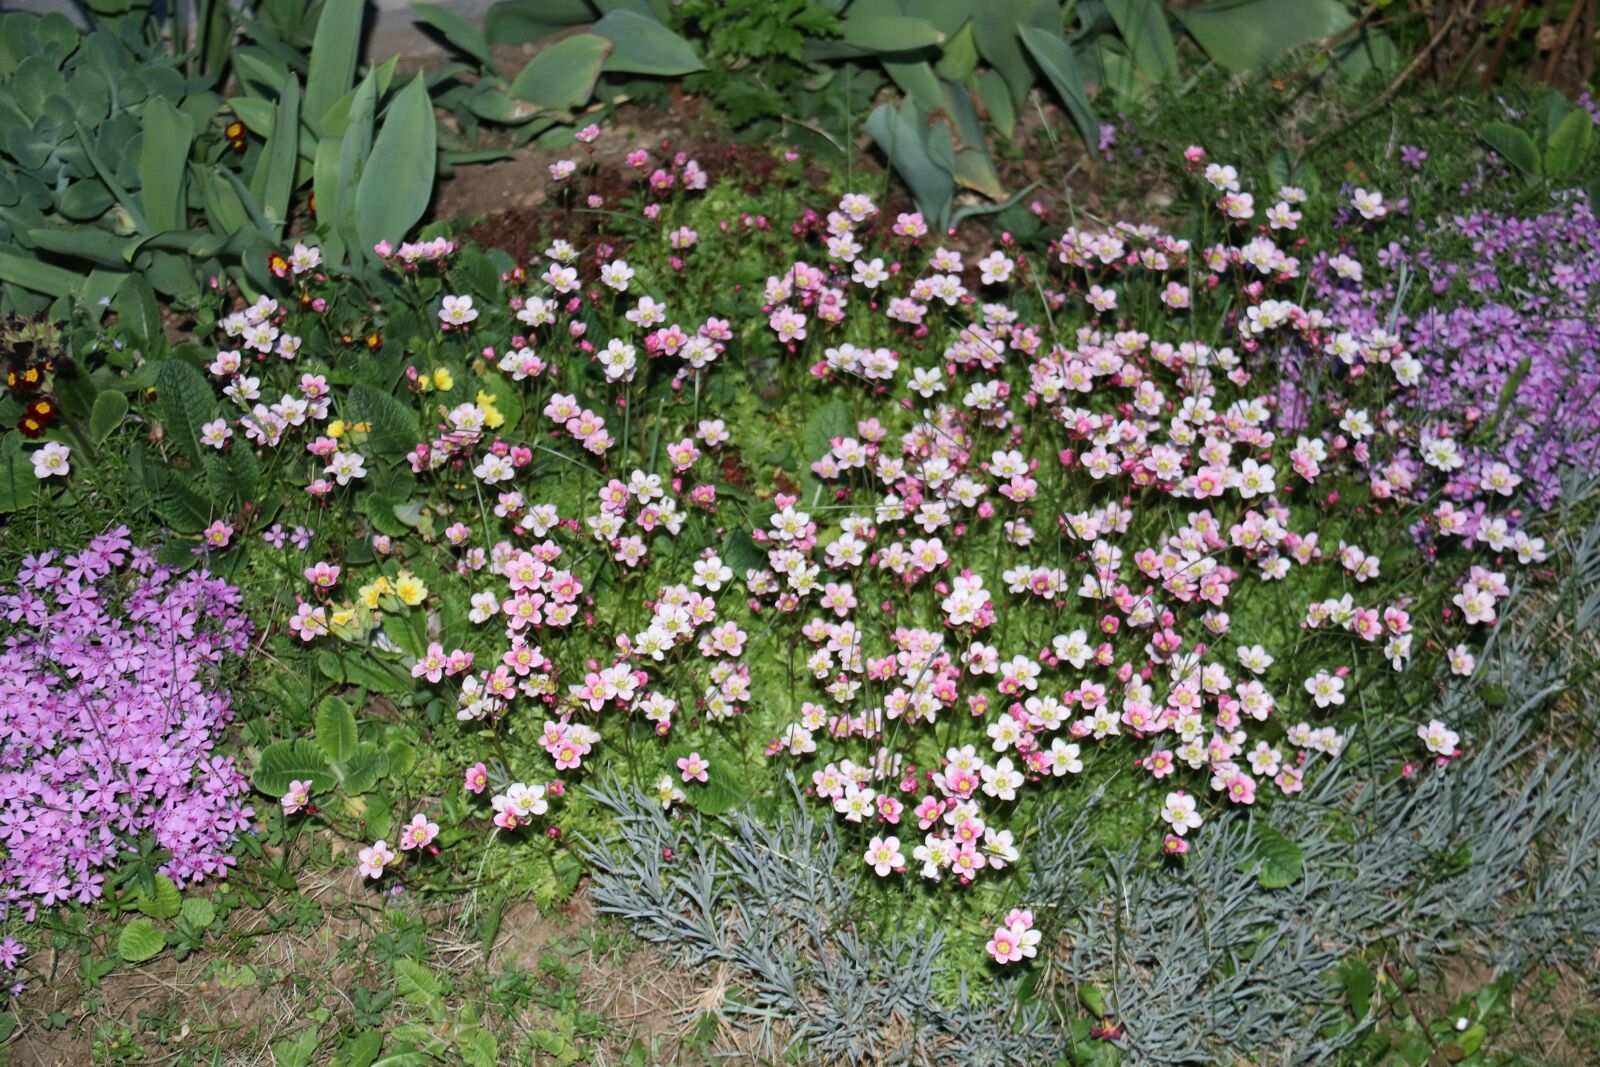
(113, 714)
